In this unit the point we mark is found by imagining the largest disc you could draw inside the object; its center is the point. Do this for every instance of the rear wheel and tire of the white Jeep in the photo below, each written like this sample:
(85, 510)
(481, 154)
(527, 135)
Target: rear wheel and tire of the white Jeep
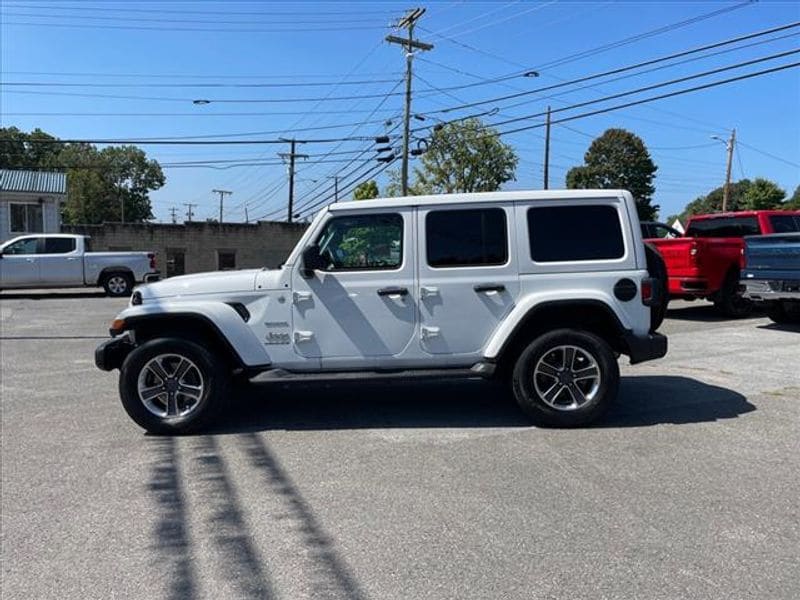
(540, 366)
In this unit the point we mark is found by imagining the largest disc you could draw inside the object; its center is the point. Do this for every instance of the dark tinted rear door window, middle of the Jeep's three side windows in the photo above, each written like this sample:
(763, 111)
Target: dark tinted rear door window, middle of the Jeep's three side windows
(466, 238)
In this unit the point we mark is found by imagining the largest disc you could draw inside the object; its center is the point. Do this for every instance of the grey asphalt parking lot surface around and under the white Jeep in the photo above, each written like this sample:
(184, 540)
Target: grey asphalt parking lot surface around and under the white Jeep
(689, 488)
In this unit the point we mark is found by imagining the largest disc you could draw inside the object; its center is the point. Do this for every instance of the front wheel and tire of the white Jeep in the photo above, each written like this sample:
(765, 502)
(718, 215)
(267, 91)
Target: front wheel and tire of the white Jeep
(164, 408)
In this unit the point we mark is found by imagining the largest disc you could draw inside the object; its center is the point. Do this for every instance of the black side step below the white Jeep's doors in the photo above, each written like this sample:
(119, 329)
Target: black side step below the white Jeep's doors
(481, 369)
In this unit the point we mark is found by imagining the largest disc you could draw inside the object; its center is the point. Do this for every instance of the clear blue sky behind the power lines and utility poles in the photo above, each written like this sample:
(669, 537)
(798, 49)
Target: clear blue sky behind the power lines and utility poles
(152, 57)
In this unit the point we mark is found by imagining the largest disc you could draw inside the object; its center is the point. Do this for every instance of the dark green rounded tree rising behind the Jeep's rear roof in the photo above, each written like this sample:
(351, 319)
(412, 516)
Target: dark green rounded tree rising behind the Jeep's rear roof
(618, 159)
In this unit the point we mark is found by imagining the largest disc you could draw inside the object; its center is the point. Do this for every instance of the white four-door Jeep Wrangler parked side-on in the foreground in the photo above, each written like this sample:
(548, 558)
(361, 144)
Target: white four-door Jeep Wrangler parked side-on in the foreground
(544, 289)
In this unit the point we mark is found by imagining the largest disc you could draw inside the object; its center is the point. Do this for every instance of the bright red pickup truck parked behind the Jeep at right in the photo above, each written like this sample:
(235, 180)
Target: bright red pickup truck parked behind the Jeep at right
(705, 262)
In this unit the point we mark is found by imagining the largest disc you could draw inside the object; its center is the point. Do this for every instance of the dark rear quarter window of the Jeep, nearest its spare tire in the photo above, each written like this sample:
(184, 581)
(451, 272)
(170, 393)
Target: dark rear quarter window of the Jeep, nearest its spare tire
(570, 233)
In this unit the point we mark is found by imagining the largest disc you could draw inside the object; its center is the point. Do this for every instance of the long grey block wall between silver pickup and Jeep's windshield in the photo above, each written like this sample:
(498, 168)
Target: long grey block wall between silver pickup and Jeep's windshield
(263, 244)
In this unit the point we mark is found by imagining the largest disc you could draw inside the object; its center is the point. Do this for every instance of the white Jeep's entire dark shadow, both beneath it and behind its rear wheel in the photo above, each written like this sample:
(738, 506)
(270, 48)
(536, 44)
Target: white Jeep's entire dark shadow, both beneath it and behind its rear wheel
(643, 401)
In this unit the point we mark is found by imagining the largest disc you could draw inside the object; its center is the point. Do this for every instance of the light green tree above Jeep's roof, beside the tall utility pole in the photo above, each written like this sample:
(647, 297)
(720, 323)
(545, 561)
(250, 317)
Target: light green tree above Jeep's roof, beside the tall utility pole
(462, 156)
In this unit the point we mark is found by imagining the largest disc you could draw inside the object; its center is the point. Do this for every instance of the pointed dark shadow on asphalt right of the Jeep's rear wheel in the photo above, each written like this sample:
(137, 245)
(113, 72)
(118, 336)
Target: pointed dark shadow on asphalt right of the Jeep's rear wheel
(656, 400)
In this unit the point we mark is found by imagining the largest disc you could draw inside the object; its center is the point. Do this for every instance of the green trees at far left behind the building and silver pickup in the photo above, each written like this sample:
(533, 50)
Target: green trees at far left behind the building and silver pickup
(99, 182)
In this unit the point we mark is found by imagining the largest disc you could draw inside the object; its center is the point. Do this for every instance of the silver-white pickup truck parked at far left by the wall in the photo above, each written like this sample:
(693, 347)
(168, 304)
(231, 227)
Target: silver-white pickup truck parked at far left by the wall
(61, 260)
